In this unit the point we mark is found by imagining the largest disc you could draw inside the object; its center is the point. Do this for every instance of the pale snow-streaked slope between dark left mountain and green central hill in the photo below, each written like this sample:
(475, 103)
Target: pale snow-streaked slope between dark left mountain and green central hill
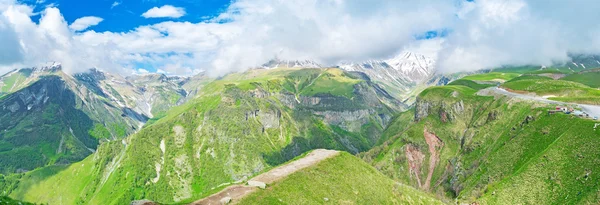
(149, 95)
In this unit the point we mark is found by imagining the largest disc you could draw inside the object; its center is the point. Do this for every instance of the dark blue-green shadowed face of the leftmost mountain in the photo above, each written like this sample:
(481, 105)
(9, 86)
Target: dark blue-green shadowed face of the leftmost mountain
(41, 125)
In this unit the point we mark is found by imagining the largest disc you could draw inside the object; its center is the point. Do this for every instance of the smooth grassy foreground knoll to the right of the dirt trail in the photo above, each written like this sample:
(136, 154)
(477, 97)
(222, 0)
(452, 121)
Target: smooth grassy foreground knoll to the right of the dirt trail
(343, 179)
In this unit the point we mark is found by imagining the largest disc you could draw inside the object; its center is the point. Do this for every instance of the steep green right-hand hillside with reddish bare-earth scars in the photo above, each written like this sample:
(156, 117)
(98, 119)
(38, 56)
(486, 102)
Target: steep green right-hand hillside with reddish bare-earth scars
(458, 144)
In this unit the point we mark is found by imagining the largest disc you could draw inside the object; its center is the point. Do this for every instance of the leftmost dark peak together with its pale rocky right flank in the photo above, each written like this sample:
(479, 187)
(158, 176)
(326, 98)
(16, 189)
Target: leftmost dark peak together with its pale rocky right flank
(54, 121)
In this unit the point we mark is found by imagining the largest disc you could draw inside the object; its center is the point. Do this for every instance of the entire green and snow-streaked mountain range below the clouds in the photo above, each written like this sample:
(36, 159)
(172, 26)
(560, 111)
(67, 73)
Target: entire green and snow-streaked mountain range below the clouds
(422, 137)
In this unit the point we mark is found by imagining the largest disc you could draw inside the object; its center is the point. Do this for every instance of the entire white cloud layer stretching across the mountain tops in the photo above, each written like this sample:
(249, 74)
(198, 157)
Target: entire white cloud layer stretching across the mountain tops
(481, 34)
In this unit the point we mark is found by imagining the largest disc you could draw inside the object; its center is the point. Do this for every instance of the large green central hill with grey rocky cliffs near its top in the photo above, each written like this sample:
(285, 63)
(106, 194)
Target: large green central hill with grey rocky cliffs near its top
(236, 128)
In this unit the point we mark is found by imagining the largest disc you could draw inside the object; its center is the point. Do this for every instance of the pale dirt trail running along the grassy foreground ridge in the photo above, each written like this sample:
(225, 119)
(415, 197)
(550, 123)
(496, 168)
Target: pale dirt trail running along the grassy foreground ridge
(236, 192)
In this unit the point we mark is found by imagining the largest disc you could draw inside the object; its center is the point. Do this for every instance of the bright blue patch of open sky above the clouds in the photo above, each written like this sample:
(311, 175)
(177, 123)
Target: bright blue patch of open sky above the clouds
(127, 14)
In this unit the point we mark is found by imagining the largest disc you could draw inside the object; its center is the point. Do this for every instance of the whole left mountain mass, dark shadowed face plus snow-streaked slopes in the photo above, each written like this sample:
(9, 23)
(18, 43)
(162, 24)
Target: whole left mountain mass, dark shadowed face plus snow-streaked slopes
(49, 117)
